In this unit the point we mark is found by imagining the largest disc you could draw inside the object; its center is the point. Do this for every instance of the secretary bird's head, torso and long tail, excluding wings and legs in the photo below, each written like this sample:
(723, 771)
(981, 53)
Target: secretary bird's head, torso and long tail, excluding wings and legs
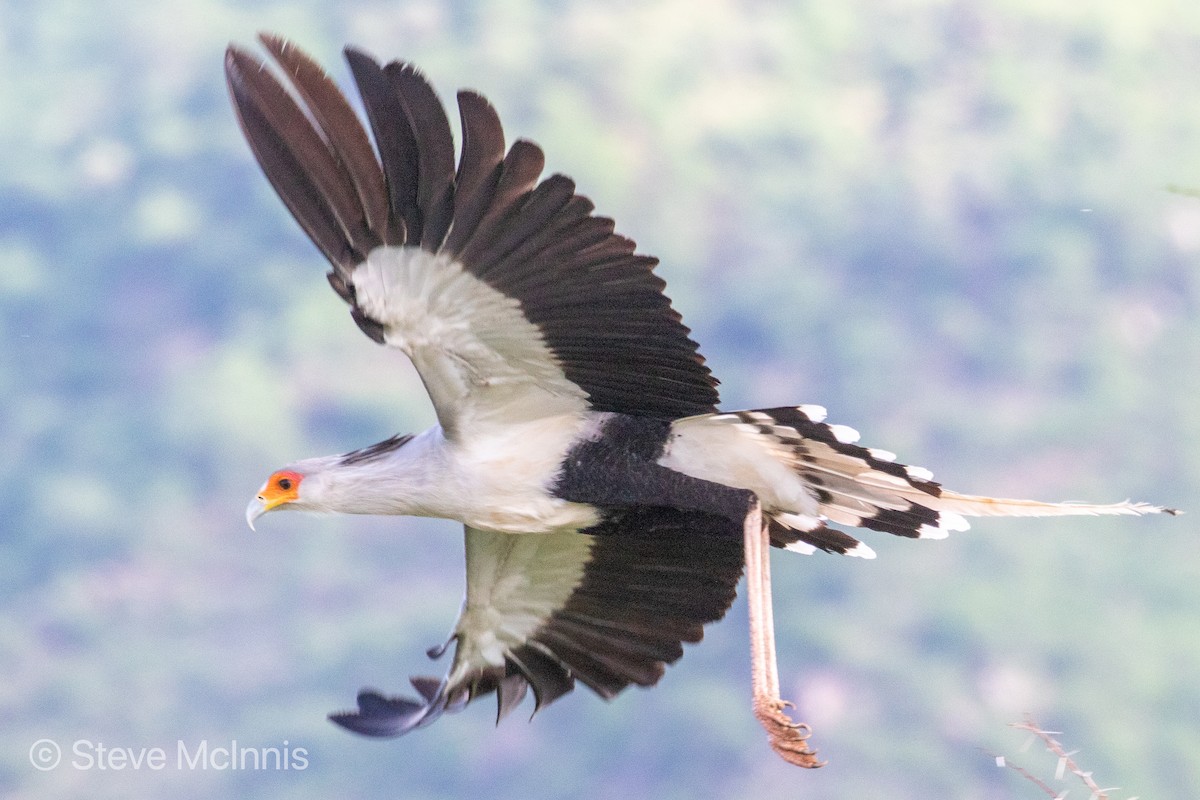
(561, 473)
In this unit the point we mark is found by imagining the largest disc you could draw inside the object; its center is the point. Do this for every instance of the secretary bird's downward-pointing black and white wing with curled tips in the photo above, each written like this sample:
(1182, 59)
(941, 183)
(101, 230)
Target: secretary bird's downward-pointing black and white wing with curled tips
(610, 607)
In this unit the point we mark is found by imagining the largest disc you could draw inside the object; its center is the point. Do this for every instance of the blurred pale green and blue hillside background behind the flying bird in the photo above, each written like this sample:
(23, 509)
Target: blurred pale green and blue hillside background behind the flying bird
(971, 230)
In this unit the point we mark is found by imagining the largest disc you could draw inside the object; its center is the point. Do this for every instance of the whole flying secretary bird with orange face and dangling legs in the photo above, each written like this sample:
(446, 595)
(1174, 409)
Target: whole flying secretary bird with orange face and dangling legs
(610, 507)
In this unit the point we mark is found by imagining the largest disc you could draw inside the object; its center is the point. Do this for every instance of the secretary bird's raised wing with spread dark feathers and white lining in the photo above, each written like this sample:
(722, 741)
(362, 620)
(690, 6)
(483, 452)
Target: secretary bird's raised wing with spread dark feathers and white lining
(507, 292)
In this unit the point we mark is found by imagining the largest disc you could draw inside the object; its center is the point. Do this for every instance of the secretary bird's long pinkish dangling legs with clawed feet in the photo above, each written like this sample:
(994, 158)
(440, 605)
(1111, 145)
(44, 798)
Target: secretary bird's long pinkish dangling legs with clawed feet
(788, 738)
